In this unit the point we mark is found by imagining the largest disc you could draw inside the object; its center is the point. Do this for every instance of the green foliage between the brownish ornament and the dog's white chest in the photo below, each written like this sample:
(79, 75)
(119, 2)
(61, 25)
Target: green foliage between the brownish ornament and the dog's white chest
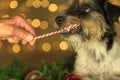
(57, 71)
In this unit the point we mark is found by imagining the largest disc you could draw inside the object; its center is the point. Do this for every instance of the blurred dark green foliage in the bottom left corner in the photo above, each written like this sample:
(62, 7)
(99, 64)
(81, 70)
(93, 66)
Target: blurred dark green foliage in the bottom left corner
(12, 71)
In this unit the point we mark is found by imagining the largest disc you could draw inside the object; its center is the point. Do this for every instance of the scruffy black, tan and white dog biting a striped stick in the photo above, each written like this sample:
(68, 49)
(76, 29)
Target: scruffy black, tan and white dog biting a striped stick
(98, 51)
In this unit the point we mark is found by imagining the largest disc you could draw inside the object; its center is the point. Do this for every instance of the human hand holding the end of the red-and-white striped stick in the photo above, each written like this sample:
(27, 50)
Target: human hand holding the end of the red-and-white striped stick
(16, 29)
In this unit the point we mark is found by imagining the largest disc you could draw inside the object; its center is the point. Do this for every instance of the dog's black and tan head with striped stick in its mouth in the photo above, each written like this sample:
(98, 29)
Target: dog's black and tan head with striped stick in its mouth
(96, 19)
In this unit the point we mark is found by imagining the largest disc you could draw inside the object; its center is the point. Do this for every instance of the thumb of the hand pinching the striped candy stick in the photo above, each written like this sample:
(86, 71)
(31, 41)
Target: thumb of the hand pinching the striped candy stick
(23, 34)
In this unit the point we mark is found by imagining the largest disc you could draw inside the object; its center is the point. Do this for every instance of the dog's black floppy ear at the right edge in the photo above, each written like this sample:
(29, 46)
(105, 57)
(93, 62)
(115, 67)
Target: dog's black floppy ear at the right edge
(111, 9)
